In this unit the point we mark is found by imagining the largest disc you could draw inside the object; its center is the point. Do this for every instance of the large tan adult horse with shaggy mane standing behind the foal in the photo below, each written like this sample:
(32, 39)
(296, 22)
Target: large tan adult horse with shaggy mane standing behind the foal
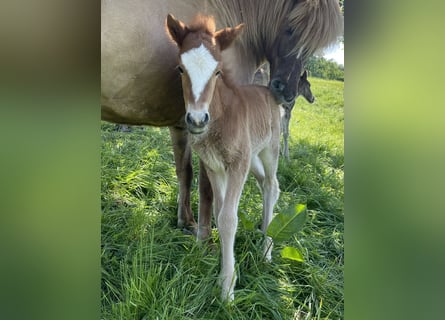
(141, 85)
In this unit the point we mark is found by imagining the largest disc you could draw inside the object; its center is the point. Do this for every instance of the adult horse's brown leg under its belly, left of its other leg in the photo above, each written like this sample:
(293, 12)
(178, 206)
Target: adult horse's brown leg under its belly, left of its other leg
(184, 172)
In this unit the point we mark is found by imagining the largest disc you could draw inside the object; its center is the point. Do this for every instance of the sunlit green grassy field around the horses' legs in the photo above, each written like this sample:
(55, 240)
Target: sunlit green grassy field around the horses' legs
(151, 270)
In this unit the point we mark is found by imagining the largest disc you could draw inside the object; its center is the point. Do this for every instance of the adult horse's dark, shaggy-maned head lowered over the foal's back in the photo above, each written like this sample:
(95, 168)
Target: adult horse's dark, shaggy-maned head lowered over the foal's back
(301, 28)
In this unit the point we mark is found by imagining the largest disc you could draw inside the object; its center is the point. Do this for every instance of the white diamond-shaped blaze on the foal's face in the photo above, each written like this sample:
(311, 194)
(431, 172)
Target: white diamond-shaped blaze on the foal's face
(200, 66)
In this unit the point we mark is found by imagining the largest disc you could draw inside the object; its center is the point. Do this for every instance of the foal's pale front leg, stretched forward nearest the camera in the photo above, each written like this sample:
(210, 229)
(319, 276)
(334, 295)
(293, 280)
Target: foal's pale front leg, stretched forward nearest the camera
(227, 225)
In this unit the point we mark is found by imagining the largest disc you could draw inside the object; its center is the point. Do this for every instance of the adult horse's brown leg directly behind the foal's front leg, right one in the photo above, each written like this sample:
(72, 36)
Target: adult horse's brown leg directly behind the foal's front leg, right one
(205, 204)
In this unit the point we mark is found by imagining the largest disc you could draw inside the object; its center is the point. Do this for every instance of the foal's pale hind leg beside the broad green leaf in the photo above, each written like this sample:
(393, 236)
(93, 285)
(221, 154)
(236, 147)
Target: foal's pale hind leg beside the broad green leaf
(271, 191)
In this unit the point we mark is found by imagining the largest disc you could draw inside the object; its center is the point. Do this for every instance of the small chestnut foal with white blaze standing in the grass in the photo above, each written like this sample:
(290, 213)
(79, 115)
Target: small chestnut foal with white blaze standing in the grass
(233, 129)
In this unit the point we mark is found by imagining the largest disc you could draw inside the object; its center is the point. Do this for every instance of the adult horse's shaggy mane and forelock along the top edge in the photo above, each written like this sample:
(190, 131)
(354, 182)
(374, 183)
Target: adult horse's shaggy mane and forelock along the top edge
(315, 23)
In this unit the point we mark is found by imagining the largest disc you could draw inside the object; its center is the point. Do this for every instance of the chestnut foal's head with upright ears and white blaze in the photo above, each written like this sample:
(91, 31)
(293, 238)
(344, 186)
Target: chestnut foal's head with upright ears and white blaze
(200, 64)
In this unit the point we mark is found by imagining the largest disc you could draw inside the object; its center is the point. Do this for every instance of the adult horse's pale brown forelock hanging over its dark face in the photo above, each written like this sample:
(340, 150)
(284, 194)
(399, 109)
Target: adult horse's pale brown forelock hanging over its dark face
(318, 23)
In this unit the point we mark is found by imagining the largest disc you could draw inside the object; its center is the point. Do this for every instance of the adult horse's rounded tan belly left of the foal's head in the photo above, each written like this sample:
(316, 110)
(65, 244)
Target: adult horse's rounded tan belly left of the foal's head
(139, 82)
